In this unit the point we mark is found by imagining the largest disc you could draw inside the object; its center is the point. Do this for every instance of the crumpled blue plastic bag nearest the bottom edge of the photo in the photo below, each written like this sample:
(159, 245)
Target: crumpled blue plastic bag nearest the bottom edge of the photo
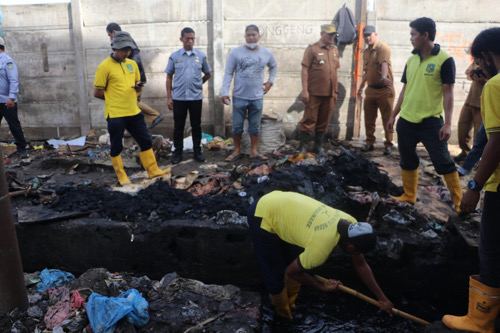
(104, 312)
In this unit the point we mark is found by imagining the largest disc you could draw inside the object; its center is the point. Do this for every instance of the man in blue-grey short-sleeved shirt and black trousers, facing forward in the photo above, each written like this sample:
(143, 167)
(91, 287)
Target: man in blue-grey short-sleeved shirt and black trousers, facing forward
(185, 92)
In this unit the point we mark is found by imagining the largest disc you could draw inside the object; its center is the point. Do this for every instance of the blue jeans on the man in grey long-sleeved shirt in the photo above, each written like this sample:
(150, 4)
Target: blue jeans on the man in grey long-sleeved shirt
(240, 108)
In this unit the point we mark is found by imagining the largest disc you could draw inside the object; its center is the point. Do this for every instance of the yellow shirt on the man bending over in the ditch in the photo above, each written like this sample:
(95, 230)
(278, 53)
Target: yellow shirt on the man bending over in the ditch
(300, 220)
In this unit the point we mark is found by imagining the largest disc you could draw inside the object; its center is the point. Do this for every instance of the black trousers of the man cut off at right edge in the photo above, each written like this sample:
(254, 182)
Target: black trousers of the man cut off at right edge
(489, 241)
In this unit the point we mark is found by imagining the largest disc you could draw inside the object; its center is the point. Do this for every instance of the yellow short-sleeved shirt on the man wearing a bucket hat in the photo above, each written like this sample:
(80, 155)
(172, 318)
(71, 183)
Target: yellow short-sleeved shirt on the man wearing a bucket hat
(117, 80)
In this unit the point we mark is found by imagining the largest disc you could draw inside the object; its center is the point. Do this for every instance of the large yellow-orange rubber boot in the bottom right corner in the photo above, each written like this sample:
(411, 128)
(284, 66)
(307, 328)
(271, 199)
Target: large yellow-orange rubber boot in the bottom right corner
(484, 306)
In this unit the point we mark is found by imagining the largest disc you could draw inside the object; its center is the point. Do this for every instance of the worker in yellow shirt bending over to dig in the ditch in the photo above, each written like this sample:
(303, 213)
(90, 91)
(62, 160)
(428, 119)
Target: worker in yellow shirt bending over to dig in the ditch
(281, 222)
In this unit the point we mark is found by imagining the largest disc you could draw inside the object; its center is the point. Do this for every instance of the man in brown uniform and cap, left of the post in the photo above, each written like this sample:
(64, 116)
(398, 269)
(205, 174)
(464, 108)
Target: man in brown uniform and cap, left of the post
(319, 88)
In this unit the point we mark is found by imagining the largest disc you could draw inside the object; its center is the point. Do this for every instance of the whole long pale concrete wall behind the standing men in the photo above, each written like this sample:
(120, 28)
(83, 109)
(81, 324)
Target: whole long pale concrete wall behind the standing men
(58, 48)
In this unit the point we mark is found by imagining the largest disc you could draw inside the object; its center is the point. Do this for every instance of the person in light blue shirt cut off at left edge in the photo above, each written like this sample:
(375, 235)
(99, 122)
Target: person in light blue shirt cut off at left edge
(9, 88)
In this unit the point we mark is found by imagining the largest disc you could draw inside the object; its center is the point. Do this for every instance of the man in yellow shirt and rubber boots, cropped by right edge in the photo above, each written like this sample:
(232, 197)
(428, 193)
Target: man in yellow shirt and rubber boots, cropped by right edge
(484, 289)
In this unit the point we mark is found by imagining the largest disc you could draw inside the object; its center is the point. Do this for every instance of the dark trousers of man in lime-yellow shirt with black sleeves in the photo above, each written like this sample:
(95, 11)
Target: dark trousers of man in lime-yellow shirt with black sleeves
(427, 132)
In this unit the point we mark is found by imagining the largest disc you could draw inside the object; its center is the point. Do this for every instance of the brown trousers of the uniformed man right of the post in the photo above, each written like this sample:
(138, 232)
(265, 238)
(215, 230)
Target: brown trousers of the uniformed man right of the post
(382, 99)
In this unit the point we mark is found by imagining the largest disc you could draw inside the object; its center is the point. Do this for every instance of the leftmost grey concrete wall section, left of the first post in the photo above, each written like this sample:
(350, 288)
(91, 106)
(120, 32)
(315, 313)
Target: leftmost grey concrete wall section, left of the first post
(48, 98)
